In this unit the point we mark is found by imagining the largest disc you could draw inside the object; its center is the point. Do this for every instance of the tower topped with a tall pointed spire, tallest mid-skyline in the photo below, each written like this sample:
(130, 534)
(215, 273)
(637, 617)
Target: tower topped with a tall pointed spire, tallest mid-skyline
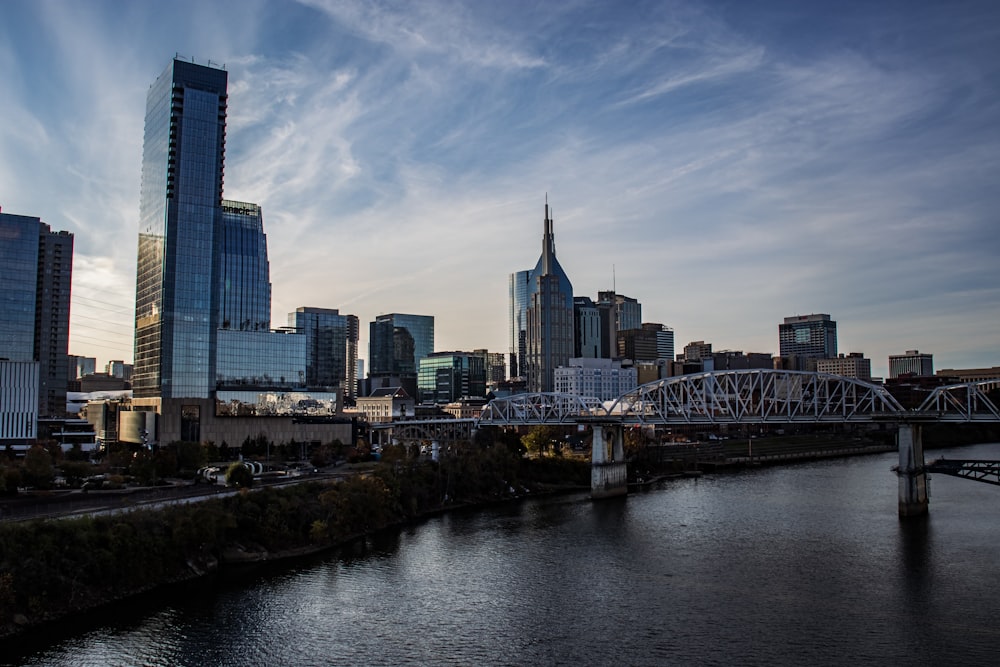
(549, 315)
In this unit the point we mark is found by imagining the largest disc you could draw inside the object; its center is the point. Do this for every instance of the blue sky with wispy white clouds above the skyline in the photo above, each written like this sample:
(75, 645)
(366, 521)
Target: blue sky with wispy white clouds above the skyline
(728, 164)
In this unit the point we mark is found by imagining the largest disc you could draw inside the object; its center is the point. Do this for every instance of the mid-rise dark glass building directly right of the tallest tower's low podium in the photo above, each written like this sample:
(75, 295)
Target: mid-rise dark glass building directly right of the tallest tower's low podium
(331, 347)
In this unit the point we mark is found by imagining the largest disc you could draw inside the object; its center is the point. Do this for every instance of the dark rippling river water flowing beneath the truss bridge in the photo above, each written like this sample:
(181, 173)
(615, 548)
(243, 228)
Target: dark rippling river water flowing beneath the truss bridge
(805, 564)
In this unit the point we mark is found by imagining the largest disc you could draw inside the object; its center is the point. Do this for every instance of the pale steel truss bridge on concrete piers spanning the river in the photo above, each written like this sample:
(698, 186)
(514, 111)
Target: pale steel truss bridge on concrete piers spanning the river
(757, 396)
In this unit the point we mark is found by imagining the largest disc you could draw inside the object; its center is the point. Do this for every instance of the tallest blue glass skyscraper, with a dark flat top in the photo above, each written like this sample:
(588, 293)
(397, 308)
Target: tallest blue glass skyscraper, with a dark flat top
(176, 304)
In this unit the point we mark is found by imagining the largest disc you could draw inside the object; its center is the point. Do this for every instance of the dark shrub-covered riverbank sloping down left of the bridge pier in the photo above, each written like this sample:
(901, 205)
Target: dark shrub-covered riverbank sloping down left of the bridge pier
(52, 570)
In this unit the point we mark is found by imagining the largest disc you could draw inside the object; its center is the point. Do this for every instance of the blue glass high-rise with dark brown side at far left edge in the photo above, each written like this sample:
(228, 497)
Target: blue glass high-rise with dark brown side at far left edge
(36, 266)
